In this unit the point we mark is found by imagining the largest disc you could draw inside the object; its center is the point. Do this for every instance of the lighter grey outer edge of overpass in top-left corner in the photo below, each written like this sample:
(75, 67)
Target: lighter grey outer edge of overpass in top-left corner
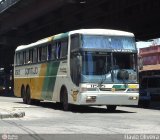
(5, 4)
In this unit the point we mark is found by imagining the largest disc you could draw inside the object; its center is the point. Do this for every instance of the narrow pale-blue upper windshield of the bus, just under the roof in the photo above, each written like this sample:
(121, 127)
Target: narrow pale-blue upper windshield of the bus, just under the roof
(121, 43)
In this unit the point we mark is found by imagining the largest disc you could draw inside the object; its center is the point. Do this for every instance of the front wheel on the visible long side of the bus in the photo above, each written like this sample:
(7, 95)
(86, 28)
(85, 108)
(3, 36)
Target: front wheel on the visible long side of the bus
(64, 98)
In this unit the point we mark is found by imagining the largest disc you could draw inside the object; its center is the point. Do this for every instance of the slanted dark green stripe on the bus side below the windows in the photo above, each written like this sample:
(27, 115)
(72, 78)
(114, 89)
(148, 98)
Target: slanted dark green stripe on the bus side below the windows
(49, 81)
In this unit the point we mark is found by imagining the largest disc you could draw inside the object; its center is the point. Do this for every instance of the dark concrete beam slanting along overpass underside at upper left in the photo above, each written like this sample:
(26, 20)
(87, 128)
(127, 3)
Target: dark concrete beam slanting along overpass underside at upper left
(29, 13)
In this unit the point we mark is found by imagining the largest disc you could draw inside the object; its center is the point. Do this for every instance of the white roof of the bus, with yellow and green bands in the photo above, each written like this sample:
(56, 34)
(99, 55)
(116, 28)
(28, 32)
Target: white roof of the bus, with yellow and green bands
(80, 31)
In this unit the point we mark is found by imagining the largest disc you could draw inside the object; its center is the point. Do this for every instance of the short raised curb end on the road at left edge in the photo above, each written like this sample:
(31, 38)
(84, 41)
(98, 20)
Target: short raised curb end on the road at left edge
(12, 115)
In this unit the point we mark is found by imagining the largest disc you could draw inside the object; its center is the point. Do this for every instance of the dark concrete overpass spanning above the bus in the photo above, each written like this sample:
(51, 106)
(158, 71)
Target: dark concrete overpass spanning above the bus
(25, 21)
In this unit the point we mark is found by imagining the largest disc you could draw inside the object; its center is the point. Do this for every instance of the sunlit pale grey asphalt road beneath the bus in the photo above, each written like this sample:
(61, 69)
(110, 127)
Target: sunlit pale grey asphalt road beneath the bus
(48, 118)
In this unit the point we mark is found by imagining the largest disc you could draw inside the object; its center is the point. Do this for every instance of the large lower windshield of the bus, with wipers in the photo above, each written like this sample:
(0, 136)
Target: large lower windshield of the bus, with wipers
(109, 67)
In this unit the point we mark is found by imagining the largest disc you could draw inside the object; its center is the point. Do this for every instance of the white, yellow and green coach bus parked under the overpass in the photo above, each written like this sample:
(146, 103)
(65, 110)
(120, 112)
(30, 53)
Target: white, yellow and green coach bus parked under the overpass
(80, 67)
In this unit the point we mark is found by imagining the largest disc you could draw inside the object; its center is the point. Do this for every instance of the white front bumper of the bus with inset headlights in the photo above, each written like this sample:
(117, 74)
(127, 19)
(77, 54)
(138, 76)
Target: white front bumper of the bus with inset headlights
(119, 98)
